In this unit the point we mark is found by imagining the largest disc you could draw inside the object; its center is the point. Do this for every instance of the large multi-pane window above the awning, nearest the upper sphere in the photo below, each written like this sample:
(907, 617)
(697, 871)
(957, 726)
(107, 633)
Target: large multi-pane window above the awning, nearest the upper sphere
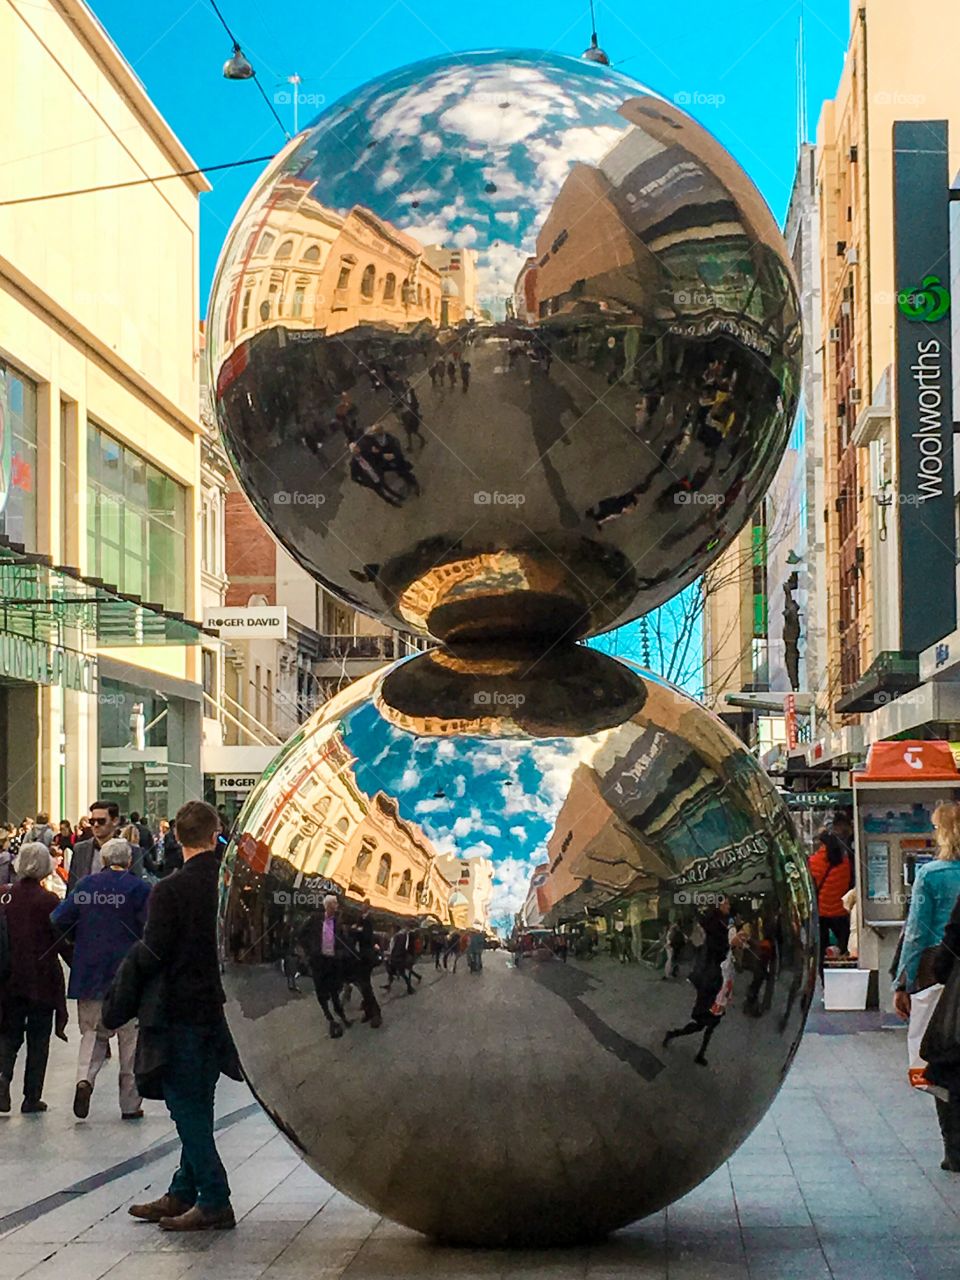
(136, 523)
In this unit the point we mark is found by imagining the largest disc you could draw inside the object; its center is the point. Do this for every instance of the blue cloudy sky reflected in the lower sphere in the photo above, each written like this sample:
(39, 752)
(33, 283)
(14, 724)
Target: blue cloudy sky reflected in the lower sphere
(492, 798)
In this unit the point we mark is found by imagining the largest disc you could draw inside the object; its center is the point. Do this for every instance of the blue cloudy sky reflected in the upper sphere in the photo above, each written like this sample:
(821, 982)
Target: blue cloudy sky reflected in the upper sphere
(424, 147)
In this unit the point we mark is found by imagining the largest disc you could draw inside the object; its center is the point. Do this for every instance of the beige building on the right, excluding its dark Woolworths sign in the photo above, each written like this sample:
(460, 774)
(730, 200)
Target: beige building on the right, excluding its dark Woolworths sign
(874, 688)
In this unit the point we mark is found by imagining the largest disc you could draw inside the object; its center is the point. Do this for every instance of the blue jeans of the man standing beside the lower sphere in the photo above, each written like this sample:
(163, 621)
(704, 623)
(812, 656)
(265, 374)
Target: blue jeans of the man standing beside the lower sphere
(190, 1082)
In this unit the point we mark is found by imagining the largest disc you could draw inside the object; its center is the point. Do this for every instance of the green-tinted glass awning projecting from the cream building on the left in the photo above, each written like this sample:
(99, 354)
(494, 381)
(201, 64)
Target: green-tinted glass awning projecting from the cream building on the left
(40, 600)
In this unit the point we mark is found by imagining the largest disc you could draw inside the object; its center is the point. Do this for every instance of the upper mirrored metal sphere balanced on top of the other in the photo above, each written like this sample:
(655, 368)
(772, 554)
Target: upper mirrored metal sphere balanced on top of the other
(505, 344)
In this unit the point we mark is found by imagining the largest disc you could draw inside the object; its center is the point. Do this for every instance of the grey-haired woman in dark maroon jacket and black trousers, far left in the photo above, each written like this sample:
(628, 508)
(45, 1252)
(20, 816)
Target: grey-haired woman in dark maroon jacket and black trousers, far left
(33, 995)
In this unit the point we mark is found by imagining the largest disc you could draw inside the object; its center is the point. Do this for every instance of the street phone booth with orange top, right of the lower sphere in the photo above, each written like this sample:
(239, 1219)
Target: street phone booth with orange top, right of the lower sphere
(894, 803)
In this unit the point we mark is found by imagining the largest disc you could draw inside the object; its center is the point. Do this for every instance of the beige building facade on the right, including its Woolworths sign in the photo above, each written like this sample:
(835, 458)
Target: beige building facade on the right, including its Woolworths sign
(890, 556)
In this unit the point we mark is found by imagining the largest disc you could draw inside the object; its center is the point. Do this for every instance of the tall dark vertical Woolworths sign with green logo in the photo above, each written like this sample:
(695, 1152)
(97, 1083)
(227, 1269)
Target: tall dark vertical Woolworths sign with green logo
(924, 383)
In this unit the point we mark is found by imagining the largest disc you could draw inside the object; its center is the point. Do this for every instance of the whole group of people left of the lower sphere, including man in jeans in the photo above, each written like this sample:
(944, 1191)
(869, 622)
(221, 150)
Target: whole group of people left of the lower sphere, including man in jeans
(134, 915)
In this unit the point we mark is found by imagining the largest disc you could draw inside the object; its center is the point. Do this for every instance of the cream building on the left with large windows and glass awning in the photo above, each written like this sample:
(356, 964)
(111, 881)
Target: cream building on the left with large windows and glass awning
(100, 476)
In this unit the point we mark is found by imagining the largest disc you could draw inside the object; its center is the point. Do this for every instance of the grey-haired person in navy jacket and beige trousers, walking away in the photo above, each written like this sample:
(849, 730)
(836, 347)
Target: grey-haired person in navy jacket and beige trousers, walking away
(103, 917)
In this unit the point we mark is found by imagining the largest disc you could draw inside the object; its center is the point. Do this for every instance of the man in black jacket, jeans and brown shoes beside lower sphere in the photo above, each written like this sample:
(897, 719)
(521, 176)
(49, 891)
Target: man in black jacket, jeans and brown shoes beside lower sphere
(181, 935)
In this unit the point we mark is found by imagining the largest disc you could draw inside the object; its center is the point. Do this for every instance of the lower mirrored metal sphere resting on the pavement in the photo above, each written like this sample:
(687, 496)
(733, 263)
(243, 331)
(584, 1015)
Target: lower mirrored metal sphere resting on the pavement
(533, 1101)
